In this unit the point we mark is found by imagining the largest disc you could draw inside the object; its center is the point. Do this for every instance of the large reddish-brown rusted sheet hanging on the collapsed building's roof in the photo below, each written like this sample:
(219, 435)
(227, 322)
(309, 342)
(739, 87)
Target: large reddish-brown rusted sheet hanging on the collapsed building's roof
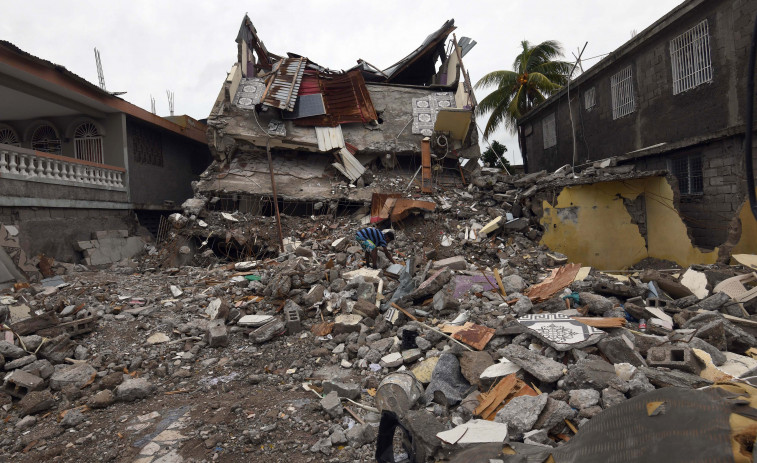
(347, 101)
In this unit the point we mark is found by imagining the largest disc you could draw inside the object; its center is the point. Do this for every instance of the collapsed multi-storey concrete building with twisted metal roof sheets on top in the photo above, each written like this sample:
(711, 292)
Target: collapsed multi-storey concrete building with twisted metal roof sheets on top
(323, 127)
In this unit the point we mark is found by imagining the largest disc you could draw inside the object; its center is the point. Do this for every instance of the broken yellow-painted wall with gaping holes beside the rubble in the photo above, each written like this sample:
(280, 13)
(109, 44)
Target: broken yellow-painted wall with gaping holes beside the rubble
(592, 225)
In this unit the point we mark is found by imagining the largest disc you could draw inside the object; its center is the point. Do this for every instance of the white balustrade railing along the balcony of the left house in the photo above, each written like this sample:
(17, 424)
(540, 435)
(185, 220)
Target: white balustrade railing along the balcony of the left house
(24, 164)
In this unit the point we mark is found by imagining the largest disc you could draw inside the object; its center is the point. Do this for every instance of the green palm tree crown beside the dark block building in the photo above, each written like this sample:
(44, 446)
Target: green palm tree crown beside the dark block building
(534, 77)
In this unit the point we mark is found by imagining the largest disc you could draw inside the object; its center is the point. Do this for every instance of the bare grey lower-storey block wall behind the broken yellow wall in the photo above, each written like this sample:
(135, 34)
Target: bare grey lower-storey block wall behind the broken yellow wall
(708, 215)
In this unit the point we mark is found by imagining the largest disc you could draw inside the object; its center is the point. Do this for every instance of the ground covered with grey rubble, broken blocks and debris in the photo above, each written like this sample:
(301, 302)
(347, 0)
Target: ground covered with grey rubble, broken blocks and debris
(212, 346)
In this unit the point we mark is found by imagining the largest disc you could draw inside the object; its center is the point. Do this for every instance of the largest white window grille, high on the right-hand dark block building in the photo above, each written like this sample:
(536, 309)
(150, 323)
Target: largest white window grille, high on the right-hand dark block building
(690, 58)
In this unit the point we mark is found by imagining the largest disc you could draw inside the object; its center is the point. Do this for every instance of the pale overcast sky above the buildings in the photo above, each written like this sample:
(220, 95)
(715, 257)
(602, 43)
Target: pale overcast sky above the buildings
(188, 46)
